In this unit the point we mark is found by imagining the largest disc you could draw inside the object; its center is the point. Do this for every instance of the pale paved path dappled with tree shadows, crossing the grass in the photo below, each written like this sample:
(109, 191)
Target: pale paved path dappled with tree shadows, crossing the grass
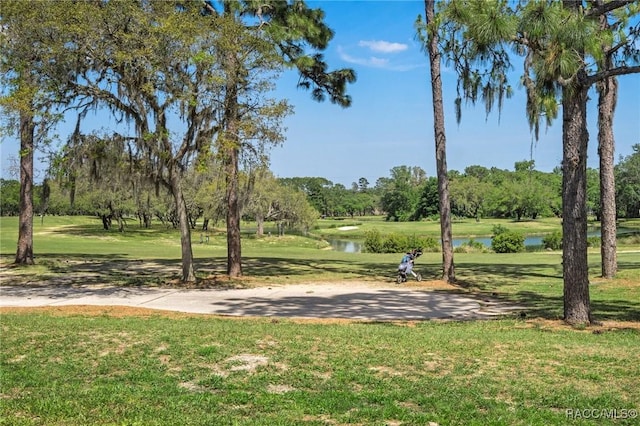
(297, 301)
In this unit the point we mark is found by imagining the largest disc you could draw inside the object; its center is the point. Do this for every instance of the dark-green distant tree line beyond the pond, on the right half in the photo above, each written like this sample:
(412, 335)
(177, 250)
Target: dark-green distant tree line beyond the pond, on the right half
(477, 192)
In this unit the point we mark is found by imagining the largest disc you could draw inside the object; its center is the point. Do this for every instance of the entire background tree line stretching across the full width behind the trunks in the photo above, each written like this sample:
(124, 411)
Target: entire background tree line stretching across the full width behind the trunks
(294, 203)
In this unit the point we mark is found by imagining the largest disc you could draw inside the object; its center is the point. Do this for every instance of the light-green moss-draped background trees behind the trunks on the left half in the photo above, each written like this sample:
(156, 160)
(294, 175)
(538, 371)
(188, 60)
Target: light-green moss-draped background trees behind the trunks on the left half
(119, 201)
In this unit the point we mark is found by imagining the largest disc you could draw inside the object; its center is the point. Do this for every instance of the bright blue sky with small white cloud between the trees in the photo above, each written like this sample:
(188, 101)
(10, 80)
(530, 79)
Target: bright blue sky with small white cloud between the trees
(391, 122)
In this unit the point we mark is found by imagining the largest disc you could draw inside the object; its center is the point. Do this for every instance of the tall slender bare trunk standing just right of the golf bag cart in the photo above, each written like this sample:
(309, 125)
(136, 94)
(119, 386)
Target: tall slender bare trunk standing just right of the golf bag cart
(448, 270)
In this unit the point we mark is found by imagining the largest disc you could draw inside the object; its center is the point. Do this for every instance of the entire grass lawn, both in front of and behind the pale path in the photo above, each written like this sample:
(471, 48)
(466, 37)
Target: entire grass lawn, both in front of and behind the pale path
(118, 366)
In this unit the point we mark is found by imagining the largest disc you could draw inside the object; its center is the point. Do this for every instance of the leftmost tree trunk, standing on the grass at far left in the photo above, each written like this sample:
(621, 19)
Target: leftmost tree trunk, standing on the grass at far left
(24, 253)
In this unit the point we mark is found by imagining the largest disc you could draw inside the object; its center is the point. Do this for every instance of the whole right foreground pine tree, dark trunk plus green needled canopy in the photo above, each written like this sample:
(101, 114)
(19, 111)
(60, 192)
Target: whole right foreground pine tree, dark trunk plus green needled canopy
(563, 45)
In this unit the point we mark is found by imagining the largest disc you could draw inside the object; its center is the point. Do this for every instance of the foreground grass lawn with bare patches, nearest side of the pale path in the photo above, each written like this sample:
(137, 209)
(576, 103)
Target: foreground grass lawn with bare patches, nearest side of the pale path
(105, 368)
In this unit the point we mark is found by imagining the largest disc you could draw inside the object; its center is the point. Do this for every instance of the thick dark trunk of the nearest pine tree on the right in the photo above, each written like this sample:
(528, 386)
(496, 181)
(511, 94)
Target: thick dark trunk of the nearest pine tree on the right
(575, 137)
